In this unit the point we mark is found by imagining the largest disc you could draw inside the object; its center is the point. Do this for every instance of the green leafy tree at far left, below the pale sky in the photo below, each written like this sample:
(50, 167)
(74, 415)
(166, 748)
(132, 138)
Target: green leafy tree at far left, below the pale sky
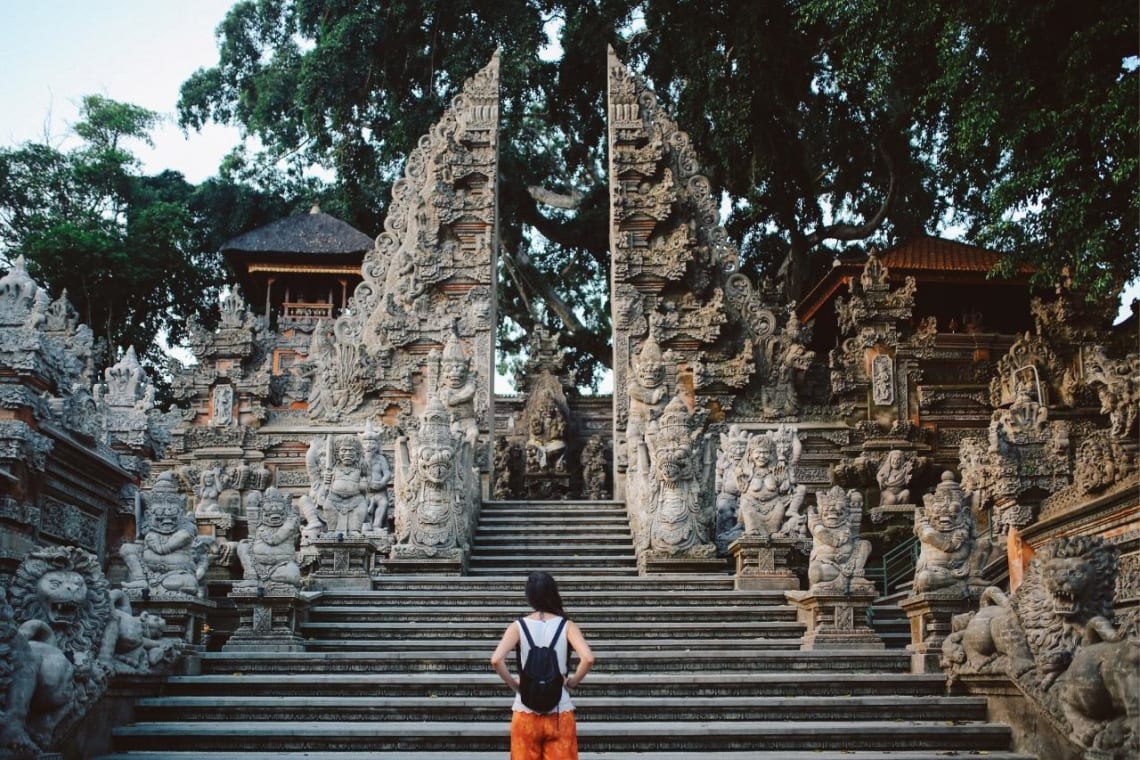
(136, 254)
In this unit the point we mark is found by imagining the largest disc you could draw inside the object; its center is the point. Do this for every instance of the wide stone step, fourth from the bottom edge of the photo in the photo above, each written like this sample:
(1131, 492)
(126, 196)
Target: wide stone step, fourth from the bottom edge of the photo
(599, 684)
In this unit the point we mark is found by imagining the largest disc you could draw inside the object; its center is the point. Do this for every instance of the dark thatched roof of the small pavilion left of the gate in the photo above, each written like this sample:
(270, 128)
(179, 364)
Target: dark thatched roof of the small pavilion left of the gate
(315, 233)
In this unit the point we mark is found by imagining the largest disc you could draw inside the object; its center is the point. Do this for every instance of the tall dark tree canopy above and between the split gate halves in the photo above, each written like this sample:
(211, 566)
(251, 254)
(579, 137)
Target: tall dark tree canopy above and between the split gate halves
(828, 124)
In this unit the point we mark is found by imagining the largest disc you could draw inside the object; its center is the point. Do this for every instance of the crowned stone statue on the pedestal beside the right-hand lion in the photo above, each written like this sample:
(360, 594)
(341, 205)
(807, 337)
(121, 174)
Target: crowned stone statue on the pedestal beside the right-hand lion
(951, 557)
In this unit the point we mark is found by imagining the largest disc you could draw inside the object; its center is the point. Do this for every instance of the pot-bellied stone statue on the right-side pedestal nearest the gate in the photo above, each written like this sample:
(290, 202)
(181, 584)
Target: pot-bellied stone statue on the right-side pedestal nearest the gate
(771, 503)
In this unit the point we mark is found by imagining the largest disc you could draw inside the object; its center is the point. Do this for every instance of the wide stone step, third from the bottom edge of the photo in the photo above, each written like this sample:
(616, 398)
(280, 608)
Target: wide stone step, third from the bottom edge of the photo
(588, 708)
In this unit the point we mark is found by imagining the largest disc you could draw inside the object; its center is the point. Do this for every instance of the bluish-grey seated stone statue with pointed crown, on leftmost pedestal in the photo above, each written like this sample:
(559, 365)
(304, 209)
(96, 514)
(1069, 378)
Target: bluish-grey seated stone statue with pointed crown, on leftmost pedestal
(168, 559)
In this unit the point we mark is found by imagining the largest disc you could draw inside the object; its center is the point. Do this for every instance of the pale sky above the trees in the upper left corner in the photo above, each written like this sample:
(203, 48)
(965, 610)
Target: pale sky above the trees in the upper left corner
(55, 52)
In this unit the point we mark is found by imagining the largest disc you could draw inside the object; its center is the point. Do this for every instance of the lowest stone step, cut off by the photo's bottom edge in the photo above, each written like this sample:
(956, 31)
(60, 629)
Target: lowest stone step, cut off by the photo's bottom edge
(466, 755)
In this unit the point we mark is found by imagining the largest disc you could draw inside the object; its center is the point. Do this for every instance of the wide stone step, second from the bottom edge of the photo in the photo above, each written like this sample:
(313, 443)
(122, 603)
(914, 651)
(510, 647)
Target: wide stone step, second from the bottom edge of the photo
(641, 737)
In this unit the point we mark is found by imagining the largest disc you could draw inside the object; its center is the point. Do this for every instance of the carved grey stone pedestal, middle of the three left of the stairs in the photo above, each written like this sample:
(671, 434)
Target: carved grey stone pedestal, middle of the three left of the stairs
(268, 619)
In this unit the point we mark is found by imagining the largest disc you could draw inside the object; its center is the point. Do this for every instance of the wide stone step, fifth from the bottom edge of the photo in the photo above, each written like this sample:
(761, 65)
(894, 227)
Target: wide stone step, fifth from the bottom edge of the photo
(727, 660)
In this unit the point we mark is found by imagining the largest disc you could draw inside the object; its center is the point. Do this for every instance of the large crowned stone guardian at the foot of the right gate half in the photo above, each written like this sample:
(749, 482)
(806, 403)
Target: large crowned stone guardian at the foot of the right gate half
(673, 513)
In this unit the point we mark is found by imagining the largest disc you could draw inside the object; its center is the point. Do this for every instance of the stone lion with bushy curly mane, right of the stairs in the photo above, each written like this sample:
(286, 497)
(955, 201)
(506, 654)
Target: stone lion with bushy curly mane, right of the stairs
(1066, 596)
